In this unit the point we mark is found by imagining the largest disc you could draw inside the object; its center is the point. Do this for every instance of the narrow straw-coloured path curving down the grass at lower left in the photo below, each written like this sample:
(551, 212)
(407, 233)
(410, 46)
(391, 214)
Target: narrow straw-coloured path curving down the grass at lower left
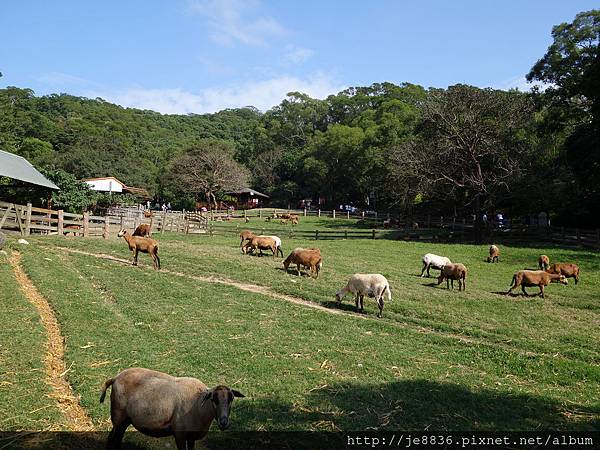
(76, 419)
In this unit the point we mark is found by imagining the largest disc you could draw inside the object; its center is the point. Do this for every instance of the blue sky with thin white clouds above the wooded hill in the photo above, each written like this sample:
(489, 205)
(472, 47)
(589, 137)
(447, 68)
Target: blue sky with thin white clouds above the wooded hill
(196, 56)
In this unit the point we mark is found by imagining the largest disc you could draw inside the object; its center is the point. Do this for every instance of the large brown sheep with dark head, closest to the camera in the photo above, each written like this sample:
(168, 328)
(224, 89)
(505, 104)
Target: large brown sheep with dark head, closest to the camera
(159, 405)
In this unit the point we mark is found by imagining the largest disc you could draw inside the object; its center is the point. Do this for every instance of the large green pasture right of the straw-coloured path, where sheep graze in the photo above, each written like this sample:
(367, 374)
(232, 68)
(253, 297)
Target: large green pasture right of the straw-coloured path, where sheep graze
(437, 360)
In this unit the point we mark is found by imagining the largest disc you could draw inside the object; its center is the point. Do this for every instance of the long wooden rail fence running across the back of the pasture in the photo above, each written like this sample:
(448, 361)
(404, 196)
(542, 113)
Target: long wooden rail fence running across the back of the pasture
(27, 220)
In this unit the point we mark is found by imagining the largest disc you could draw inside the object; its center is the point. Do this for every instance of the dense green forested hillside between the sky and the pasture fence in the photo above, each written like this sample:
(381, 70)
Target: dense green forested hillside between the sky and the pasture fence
(389, 147)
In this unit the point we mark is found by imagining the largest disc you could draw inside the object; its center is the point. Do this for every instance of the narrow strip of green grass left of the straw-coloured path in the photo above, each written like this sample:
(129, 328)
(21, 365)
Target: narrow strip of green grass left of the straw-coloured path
(24, 401)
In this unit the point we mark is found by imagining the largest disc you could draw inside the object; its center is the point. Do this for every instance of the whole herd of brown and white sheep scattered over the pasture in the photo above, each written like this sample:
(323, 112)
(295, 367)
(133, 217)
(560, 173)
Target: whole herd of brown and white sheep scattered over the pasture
(159, 404)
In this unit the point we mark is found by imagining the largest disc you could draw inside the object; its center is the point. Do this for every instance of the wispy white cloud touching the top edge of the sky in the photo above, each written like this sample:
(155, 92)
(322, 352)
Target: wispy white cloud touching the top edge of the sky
(229, 22)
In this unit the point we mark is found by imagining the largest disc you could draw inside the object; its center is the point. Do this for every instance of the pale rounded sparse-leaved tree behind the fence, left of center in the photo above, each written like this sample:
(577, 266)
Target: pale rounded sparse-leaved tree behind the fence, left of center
(209, 168)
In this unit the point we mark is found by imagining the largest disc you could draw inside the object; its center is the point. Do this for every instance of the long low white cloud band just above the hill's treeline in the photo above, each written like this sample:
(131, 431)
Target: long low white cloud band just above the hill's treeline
(260, 94)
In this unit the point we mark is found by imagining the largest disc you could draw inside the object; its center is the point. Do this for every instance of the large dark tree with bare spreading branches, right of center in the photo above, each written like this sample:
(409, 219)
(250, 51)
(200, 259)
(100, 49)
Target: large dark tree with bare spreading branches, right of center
(469, 144)
